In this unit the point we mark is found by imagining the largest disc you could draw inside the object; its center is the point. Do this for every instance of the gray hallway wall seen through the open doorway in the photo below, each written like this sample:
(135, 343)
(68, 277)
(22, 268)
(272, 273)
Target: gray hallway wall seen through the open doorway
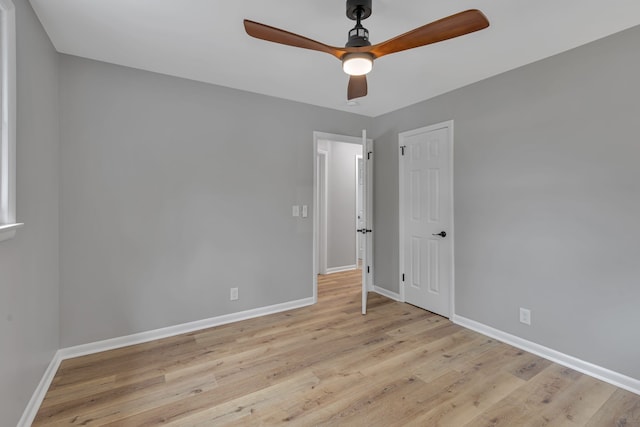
(341, 215)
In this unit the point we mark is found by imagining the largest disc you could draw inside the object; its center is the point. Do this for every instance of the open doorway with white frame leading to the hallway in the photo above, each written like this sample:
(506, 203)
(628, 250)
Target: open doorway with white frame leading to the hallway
(340, 210)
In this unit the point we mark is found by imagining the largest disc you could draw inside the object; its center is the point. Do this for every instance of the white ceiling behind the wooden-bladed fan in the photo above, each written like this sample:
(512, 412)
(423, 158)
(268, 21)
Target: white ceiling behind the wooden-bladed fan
(205, 40)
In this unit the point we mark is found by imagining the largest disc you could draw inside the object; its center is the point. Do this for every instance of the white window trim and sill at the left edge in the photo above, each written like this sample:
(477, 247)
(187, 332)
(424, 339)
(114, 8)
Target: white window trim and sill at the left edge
(8, 223)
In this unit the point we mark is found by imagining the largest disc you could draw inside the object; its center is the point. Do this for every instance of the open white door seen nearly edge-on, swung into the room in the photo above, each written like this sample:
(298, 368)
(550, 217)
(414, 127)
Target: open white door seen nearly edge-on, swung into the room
(367, 220)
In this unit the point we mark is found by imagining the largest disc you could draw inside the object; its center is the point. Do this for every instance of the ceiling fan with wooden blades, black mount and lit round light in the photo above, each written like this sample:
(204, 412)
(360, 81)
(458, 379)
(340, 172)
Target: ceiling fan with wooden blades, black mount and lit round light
(358, 54)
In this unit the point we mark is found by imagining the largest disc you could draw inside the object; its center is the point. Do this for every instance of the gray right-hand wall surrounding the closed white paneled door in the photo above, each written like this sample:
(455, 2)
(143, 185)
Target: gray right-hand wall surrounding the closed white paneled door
(547, 199)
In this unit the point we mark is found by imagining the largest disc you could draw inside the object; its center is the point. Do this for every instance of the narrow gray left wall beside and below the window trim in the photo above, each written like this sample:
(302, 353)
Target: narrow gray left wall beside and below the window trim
(29, 262)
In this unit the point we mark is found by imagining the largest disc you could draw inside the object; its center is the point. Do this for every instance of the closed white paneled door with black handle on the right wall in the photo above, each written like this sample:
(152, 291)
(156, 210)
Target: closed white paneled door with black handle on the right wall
(426, 217)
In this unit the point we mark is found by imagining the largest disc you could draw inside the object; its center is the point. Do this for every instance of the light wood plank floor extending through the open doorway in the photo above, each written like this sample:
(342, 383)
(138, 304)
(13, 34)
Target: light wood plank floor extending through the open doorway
(329, 365)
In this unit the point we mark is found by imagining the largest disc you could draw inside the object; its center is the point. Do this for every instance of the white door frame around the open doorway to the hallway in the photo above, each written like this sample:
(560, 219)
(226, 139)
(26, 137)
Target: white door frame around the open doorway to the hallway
(317, 136)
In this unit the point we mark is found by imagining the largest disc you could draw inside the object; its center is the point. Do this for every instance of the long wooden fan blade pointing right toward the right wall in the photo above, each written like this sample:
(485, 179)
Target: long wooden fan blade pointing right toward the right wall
(446, 28)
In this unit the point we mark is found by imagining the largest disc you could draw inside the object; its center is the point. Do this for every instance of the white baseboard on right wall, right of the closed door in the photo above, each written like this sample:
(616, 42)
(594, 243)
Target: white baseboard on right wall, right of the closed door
(604, 374)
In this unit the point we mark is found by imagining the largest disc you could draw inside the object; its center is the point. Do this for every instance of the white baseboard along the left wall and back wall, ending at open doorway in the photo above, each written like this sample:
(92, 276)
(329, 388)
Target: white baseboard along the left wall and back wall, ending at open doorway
(31, 410)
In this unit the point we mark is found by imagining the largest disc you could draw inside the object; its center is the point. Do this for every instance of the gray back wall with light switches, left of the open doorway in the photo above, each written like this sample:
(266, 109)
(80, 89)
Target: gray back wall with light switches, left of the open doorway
(173, 191)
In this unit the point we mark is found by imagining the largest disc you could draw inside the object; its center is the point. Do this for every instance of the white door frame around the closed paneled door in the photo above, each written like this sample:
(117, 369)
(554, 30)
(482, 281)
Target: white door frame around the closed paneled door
(401, 209)
